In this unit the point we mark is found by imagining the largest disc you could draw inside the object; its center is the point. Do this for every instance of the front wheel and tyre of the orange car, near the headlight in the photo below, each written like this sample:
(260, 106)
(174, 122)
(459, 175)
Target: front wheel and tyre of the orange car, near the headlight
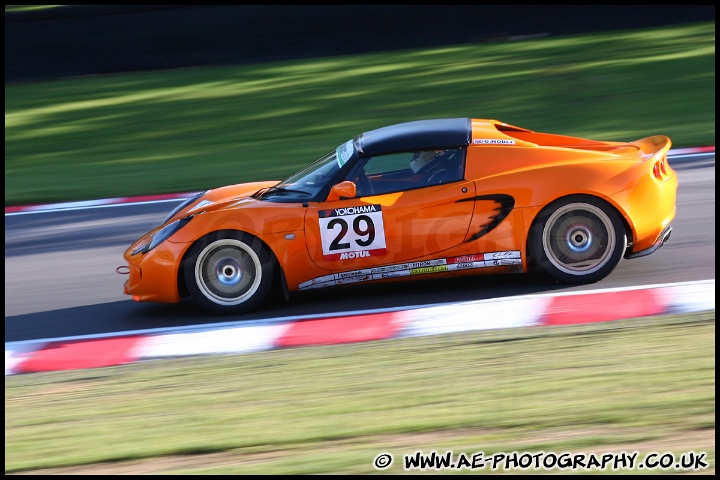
(228, 273)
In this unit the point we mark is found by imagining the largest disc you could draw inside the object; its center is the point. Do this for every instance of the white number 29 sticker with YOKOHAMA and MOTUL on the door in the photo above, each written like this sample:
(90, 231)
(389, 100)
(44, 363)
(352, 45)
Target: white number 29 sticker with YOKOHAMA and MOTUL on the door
(352, 232)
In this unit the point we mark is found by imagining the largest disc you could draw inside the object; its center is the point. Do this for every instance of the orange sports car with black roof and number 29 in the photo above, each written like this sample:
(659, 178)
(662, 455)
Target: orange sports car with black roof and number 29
(415, 200)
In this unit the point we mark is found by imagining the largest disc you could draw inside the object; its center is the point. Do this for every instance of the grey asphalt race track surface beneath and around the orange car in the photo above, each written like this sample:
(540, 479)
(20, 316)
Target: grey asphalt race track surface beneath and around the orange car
(60, 278)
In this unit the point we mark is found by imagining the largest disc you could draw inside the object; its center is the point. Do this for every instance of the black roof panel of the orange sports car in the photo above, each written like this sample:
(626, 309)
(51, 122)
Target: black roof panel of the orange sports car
(417, 135)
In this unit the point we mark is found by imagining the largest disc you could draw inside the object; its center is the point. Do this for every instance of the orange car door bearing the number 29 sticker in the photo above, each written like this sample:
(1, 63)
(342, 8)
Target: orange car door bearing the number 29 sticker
(390, 228)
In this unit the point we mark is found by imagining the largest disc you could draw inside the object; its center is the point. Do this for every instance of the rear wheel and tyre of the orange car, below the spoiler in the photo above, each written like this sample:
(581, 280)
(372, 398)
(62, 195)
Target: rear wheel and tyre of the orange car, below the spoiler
(578, 239)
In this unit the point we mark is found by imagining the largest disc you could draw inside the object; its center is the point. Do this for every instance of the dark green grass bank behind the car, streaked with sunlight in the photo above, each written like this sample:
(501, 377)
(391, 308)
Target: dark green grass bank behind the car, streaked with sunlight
(191, 129)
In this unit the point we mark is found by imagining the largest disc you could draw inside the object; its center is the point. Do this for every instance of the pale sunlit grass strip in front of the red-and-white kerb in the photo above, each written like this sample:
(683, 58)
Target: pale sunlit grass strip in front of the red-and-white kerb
(633, 385)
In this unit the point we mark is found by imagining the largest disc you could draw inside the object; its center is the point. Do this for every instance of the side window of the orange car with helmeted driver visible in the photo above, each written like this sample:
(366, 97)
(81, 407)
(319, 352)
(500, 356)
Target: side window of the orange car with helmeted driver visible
(402, 171)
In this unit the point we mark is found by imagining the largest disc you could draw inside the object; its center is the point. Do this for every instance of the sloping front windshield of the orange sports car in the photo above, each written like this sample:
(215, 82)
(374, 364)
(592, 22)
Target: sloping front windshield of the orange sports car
(308, 182)
